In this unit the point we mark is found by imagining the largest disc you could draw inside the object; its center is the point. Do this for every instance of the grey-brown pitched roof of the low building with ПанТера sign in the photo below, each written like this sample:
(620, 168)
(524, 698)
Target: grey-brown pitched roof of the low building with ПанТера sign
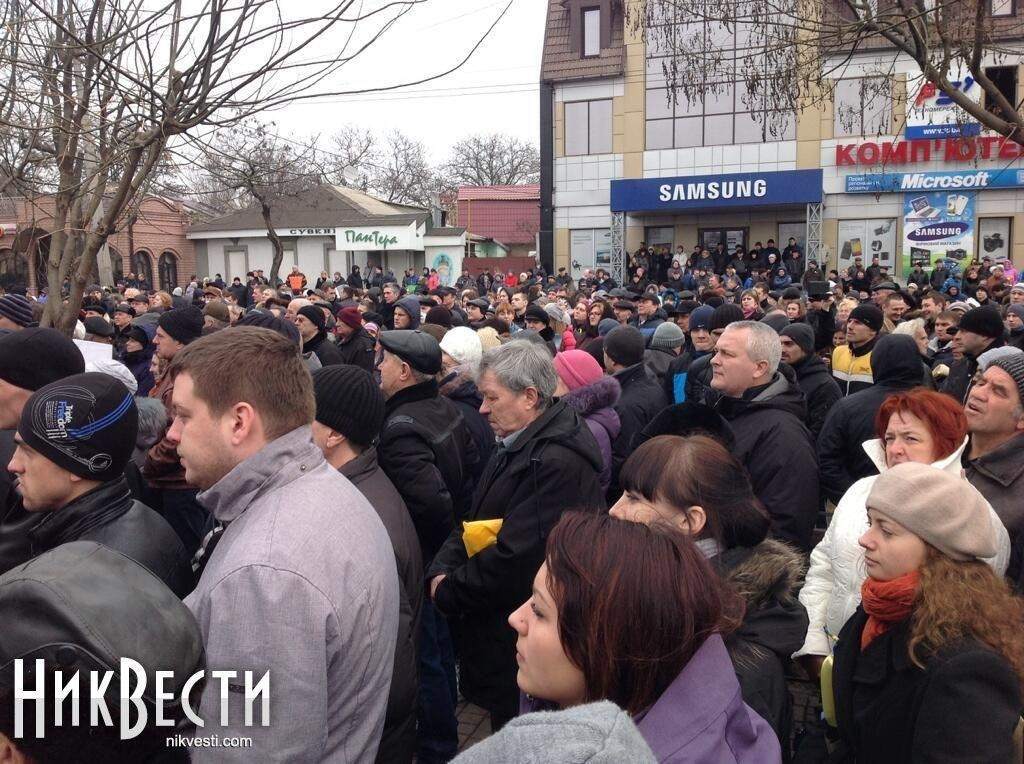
(326, 206)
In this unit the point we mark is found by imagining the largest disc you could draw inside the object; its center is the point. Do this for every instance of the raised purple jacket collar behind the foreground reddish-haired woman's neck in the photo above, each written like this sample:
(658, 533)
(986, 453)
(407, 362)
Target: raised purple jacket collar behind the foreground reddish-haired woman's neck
(709, 676)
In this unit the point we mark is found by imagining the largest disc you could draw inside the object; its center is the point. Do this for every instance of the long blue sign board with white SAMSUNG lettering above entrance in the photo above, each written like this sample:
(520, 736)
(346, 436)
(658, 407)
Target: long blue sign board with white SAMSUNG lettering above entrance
(716, 192)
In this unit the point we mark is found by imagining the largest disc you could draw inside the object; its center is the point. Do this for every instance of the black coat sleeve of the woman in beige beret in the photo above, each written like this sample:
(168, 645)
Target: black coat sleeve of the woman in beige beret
(969, 711)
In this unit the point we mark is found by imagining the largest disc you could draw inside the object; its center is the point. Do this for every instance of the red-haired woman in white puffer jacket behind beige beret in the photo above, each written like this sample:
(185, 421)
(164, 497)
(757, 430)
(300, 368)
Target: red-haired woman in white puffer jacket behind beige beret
(918, 426)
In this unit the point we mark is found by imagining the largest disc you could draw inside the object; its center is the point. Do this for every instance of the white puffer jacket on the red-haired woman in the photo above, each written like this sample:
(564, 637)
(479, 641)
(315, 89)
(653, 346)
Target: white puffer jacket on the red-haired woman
(832, 588)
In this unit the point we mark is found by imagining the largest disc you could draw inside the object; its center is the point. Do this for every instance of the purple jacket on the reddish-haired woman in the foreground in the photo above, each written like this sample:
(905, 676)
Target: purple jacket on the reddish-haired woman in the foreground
(703, 718)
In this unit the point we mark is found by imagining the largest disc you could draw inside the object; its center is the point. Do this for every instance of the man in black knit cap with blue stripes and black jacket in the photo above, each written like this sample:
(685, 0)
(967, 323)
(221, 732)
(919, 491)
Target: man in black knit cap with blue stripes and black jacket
(74, 441)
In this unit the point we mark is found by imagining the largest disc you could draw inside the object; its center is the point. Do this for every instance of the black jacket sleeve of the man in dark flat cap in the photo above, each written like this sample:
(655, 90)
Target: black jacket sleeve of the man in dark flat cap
(408, 460)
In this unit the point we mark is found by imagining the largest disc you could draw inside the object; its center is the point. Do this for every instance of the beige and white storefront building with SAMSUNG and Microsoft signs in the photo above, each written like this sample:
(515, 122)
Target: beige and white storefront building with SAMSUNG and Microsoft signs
(623, 165)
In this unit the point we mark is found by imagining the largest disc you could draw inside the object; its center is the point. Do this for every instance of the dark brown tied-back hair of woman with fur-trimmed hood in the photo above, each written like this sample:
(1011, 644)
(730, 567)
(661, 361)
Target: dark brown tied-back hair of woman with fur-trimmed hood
(699, 472)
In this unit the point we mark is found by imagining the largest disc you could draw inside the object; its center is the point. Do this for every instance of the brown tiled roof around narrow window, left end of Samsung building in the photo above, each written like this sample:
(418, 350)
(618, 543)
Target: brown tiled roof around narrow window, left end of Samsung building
(562, 64)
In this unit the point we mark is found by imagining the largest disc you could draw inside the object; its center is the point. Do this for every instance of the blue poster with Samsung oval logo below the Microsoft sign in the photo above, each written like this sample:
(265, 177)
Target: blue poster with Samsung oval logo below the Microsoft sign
(938, 226)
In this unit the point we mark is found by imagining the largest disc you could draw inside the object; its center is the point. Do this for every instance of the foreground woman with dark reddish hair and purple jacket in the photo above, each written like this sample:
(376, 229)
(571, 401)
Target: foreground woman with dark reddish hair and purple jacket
(634, 615)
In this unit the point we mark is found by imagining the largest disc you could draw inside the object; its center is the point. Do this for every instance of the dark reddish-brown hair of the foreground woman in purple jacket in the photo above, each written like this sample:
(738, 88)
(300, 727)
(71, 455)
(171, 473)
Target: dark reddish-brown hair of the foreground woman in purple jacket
(635, 604)
